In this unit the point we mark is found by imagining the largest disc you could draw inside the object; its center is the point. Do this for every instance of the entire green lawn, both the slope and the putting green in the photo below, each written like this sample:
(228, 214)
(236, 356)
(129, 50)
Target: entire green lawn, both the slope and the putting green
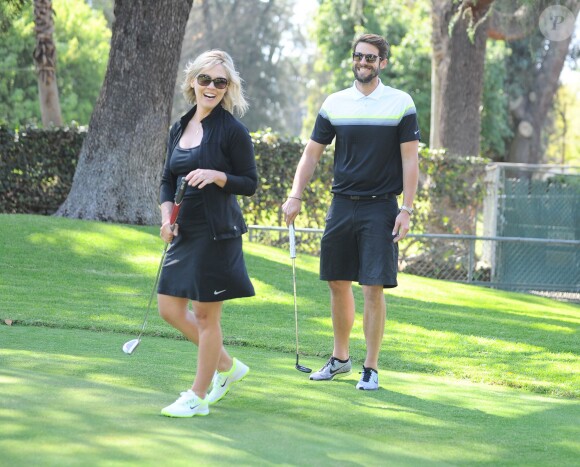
(468, 375)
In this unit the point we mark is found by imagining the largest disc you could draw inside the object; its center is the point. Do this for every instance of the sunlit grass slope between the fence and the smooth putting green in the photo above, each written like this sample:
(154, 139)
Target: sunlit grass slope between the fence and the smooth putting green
(98, 276)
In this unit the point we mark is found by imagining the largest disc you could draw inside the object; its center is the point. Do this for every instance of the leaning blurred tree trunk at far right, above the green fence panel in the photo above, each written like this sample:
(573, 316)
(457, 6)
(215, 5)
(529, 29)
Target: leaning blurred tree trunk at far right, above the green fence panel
(530, 111)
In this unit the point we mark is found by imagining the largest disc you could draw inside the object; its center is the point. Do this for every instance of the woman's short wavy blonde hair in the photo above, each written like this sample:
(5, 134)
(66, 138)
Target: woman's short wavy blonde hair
(234, 99)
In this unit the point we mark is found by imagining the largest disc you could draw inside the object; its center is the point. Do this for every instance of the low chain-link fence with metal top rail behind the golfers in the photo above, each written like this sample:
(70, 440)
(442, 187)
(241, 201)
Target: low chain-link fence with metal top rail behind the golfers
(462, 258)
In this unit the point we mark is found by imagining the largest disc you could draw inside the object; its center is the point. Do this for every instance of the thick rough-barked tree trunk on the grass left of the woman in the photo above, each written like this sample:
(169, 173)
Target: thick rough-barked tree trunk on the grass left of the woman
(118, 174)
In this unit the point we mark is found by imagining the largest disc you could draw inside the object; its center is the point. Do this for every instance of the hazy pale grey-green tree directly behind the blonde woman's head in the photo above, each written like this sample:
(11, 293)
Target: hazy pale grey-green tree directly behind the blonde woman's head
(256, 41)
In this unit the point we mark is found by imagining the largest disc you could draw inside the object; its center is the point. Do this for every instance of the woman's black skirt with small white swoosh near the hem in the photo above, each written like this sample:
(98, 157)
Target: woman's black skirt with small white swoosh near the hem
(200, 268)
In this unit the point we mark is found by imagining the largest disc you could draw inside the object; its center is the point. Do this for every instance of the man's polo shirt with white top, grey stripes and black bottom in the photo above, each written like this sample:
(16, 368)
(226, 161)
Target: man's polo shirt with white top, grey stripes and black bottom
(369, 131)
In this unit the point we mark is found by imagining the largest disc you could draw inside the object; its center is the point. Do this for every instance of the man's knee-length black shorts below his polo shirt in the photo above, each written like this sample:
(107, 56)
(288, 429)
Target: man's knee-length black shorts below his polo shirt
(357, 244)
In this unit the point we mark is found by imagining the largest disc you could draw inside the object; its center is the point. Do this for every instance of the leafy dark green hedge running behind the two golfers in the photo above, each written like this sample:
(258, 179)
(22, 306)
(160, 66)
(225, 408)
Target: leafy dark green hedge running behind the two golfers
(37, 169)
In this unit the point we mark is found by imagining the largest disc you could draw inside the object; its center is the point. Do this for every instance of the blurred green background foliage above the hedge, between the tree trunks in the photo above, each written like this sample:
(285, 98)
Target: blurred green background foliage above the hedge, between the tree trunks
(287, 75)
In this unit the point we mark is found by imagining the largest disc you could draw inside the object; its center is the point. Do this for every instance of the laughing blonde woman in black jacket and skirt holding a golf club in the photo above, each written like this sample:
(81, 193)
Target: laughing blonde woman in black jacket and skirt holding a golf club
(204, 263)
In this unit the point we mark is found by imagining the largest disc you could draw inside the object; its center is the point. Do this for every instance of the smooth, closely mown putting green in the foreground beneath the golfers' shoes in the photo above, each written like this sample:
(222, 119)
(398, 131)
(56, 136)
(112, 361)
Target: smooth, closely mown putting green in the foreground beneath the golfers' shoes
(79, 400)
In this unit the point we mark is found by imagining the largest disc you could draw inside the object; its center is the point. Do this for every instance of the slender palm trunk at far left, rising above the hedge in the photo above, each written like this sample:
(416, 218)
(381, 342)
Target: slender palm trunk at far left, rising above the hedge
(45, 61)
